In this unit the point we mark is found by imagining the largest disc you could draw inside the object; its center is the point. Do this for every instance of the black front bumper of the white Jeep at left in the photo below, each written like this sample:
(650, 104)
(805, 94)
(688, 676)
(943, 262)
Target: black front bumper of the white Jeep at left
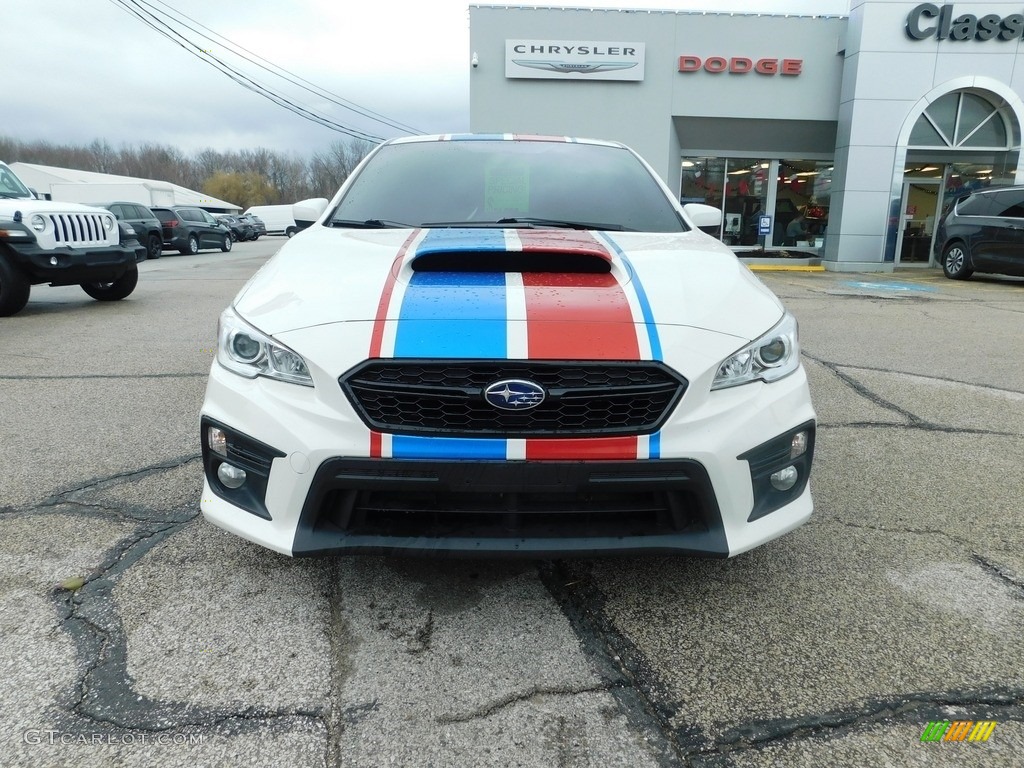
(74, 266)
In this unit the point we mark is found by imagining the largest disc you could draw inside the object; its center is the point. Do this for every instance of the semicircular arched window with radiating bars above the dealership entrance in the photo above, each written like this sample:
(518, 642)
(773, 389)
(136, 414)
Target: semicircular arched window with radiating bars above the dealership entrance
(962, 121)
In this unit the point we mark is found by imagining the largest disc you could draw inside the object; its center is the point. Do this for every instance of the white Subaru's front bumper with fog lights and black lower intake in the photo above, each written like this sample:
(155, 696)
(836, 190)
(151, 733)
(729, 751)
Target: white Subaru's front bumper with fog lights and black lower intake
(319, 491)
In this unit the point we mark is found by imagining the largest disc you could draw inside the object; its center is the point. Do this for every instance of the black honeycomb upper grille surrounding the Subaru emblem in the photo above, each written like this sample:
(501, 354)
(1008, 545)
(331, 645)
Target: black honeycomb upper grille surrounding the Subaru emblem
(446, 398)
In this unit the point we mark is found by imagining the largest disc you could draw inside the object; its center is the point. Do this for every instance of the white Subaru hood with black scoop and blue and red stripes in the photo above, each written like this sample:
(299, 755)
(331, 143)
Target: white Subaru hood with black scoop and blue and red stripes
(476, 277)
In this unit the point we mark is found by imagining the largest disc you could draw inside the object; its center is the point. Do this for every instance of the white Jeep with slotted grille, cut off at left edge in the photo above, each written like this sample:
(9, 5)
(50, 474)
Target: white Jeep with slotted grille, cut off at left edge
(63, 244)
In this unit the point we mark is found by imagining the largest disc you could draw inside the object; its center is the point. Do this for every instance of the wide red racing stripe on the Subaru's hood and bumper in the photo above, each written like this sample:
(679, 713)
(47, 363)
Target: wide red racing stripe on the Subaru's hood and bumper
(578, 317)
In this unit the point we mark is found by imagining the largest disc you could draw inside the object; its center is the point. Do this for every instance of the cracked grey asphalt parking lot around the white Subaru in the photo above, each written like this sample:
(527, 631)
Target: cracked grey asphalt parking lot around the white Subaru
(136, 634)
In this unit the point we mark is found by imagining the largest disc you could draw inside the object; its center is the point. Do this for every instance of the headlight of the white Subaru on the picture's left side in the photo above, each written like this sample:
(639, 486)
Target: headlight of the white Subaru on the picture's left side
(246, 352)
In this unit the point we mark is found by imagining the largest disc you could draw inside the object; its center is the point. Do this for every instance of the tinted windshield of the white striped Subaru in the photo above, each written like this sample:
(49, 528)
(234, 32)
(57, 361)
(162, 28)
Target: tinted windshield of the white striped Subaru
(480, 183)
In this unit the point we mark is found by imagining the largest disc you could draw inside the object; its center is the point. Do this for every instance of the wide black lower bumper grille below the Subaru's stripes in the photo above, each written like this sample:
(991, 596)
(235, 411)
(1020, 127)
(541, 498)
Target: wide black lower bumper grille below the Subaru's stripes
(515, 508)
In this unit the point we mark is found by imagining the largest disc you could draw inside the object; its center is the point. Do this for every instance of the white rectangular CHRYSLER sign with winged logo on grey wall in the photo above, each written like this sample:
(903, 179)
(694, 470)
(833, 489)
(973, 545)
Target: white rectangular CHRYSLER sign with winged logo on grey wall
(574, 60)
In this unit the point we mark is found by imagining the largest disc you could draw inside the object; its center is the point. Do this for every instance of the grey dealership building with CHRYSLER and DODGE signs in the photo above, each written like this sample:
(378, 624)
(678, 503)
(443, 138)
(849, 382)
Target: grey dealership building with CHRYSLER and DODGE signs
(838, 139)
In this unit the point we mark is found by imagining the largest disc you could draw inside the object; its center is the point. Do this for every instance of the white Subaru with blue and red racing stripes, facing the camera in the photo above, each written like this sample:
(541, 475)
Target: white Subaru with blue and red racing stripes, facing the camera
(548, 360)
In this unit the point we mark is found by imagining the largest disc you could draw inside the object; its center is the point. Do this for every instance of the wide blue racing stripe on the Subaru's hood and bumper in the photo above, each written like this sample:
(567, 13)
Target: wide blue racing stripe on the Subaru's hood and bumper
(453, 315)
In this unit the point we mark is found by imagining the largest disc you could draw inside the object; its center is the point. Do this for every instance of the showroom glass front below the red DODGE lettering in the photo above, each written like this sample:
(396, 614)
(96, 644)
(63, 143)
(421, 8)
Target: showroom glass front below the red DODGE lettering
(794, 193)
